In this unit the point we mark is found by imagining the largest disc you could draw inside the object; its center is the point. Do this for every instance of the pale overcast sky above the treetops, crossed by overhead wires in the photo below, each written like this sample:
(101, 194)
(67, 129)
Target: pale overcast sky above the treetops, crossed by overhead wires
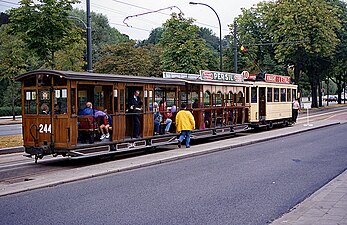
(139, 27)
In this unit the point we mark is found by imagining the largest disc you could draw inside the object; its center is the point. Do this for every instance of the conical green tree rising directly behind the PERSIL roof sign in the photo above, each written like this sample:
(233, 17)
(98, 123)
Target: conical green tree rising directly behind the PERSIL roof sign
(183, 50)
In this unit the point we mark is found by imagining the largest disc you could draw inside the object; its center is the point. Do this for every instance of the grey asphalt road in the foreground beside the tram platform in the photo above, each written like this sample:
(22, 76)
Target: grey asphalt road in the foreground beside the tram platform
(248, 185)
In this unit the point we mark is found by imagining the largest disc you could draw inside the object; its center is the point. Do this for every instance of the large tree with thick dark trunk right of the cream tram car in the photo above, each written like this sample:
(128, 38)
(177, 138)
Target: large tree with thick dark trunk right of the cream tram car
(314, 22)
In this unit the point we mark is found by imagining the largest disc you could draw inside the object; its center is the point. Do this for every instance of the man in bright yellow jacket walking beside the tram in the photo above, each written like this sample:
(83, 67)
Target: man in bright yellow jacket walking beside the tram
(184, 124)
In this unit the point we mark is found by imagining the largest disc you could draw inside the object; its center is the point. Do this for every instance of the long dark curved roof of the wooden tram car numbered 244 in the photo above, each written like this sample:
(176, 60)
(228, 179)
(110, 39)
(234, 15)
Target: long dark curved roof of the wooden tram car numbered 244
(71, 75)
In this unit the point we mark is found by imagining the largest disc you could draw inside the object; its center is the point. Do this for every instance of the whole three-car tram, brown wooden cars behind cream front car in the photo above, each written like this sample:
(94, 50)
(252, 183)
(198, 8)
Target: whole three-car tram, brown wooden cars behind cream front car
(53, 121)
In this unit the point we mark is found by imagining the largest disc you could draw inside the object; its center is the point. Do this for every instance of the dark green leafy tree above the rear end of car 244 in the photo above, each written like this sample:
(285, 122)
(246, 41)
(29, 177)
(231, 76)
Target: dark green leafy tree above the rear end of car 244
(45, 26)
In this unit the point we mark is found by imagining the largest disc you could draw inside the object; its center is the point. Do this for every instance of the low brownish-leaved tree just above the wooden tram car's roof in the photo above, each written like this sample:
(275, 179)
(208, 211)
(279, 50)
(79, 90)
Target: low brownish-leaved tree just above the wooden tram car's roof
(125, 59)
